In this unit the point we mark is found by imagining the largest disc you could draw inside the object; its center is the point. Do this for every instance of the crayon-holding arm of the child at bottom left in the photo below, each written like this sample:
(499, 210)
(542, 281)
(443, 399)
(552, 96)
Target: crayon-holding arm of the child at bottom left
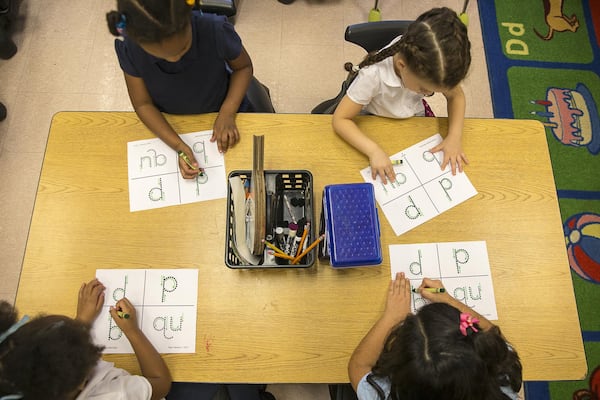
(151, 363)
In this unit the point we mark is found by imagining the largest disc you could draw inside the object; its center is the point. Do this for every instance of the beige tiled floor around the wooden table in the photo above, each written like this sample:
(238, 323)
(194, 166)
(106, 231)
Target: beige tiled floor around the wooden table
(66, 61)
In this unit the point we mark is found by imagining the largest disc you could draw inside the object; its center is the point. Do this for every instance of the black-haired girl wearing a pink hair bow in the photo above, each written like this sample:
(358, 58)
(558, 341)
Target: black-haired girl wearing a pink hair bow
(444, 351)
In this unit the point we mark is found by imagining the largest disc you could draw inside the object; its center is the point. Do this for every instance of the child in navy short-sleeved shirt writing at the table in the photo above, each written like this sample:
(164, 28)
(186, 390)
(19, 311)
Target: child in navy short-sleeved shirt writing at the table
(180, 61)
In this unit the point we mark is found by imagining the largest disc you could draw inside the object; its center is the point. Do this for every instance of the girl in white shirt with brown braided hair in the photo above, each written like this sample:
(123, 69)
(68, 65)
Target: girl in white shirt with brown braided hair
(433, 56)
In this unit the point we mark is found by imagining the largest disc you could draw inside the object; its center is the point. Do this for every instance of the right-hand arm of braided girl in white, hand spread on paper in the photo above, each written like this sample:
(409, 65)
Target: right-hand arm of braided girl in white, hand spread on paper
(452, 145)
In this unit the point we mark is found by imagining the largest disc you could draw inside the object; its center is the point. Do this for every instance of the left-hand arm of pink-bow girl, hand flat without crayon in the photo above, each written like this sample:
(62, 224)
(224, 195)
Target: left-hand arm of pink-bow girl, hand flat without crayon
(368, 350)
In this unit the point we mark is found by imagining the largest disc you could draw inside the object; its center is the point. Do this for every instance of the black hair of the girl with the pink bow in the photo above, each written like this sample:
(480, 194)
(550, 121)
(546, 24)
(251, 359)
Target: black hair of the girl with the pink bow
(428, 357)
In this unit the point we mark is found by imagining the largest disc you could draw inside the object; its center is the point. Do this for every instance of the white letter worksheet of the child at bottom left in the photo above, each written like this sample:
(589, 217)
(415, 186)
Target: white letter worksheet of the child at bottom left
(165, 301)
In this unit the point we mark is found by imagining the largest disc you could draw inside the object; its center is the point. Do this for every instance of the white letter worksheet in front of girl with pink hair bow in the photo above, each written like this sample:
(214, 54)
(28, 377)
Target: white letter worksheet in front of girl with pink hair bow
(463, 268)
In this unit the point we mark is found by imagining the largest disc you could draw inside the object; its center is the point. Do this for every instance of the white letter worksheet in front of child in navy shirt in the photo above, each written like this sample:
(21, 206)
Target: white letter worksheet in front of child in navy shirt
(155, 180)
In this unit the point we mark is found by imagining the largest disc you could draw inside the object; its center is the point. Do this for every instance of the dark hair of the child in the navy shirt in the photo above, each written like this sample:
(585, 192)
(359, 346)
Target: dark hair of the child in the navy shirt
(149, 21)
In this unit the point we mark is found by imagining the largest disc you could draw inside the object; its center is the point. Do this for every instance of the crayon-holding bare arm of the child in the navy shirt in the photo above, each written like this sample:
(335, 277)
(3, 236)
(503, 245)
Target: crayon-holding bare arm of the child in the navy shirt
(156, 122)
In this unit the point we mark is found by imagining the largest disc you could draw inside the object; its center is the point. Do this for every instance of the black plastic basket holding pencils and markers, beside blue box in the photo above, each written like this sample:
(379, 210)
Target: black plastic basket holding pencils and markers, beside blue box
(290, 226)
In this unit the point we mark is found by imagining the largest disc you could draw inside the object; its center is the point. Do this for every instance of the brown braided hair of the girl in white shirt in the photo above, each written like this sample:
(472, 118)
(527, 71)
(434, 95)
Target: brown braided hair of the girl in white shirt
(435, 47)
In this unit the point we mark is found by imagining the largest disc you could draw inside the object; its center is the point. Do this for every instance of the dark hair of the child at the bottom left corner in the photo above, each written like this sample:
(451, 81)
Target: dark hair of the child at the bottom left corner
(47, 358)
